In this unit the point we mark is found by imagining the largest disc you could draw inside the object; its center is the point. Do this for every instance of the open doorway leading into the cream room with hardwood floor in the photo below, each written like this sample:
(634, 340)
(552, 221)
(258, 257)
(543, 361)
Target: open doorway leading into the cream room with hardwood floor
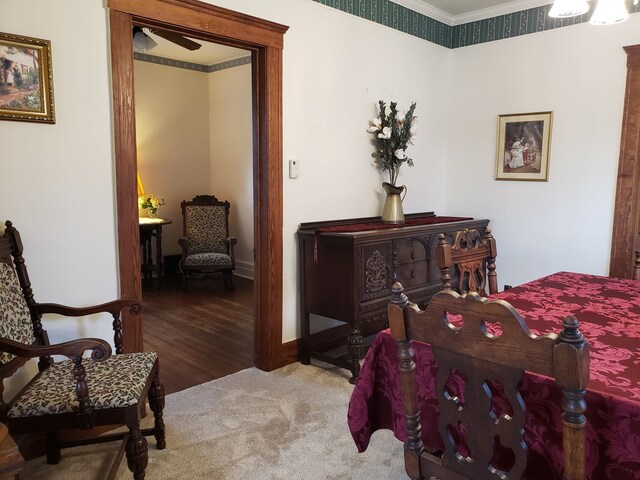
(194, 136)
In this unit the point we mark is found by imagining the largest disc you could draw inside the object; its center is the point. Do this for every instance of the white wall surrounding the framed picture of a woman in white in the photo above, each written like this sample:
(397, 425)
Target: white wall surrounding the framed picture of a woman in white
(578, 73)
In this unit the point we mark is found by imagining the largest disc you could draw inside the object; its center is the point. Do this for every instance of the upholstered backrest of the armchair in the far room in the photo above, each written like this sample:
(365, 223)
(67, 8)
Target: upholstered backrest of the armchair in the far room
(205, 224)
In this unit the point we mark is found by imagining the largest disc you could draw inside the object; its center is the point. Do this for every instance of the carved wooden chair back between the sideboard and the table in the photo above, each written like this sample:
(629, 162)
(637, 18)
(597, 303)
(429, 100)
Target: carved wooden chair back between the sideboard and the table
(473, 256)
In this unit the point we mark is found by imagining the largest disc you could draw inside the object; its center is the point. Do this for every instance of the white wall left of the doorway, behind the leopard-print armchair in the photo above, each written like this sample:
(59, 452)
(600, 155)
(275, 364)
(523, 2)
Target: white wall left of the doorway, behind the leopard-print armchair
(57, 181)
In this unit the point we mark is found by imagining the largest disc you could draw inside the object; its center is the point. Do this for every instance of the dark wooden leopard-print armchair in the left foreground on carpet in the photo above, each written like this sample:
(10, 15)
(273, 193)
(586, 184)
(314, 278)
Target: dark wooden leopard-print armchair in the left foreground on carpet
(80, 393)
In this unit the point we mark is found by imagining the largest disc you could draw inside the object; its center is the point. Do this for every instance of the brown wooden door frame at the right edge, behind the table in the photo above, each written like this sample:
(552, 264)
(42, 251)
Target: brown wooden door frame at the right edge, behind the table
(626, 215)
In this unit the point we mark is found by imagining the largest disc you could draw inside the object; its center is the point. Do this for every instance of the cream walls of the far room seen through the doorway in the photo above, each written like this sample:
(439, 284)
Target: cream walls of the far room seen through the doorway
(194, 134)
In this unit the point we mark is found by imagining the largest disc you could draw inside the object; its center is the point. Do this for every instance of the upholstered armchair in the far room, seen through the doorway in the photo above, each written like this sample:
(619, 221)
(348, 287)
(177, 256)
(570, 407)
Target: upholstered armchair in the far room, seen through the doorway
(207, 248)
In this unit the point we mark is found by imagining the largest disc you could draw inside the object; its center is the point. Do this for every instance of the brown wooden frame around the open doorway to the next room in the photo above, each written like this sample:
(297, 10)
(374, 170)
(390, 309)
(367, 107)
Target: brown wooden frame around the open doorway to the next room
(265, 40)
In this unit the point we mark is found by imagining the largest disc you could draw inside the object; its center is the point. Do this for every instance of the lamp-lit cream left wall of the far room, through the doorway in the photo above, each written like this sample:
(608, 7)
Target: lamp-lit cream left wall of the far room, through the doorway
(172, 135)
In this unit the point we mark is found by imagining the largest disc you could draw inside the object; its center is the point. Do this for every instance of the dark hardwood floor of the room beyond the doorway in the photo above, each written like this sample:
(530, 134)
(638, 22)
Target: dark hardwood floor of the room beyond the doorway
(201, 333)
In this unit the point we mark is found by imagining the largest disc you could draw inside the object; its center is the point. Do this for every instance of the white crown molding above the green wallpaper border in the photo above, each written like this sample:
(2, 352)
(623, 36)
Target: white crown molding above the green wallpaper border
(421, 6)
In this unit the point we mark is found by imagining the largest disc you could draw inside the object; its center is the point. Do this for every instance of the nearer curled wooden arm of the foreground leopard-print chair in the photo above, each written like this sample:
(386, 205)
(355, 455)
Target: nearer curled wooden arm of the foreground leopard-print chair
(100, 349)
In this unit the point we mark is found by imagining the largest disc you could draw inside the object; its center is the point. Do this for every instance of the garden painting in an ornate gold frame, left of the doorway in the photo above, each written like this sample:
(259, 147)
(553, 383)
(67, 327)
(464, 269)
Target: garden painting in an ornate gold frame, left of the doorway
(26, 81)
